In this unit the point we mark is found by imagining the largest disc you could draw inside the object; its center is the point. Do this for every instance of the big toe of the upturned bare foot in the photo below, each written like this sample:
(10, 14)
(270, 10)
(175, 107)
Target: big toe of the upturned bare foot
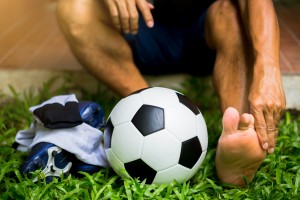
(230, 120)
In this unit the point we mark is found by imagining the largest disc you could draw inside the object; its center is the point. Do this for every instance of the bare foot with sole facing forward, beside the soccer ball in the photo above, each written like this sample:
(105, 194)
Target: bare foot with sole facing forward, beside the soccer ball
(239, 152)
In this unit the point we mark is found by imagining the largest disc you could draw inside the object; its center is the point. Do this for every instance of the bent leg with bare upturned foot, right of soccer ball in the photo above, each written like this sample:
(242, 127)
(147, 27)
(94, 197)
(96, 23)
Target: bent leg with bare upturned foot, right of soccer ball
(238, 153)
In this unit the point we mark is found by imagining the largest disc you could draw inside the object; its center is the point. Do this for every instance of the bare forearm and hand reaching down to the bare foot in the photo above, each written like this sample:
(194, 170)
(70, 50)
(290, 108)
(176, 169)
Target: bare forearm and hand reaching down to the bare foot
(267, 98)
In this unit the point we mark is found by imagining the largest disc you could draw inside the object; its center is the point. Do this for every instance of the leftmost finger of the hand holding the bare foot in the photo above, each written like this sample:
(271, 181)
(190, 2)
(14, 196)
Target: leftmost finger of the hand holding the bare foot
(261, 129)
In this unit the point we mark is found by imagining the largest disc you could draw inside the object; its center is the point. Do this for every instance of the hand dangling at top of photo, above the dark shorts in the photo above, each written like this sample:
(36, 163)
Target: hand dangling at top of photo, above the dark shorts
(124, 14)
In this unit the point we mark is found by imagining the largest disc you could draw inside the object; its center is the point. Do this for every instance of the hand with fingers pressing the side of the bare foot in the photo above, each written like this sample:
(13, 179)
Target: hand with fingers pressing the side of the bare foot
(267, 104)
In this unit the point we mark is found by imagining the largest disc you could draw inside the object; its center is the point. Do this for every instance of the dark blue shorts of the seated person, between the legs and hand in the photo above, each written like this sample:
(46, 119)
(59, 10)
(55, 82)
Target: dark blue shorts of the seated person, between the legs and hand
(166, 49)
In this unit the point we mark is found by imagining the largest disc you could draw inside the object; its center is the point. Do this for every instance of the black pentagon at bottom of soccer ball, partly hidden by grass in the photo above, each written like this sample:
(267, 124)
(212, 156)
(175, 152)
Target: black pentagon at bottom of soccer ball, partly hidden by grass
(139, 168)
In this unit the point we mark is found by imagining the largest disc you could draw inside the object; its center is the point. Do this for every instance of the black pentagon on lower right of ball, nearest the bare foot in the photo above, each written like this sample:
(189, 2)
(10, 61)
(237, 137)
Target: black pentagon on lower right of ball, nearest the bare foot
(191, 151)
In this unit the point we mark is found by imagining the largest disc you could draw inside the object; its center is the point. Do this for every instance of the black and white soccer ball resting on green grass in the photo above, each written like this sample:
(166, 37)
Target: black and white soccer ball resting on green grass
(156, 134)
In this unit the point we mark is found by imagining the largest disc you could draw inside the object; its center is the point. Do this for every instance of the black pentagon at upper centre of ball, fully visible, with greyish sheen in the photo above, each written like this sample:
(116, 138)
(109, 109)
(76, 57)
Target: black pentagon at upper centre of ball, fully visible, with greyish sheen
(149, 119)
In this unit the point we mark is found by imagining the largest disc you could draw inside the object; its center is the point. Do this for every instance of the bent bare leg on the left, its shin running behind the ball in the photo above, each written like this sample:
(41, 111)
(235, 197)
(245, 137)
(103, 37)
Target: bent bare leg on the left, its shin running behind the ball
(98, 46)
